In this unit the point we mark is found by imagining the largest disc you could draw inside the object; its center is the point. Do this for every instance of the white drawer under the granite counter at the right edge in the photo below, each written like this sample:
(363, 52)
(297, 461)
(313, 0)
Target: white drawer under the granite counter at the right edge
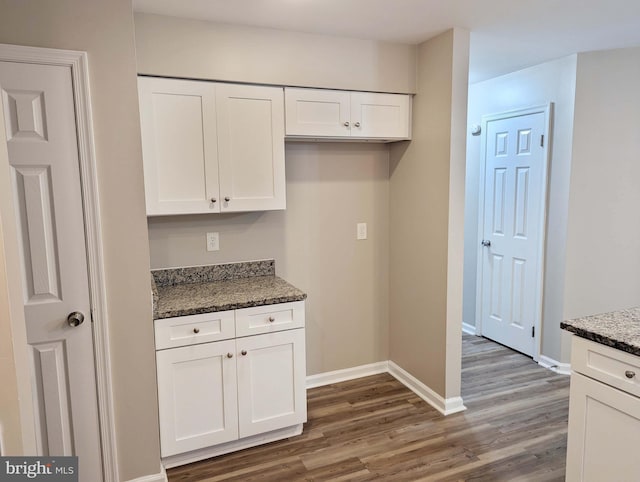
(606, 364)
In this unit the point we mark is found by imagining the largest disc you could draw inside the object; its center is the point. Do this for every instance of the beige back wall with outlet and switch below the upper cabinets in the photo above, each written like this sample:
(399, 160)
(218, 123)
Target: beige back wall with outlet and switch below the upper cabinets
(330, 188)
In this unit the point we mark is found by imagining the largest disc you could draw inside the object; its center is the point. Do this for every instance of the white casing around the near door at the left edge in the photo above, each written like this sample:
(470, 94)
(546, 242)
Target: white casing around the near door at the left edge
(77, 62)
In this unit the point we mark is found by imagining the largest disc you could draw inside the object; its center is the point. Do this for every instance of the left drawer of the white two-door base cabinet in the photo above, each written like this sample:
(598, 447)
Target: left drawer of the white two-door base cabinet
(193, 329)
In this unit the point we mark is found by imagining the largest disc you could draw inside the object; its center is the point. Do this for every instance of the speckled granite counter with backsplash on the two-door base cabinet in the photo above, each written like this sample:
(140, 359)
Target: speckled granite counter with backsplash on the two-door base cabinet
(205, 289)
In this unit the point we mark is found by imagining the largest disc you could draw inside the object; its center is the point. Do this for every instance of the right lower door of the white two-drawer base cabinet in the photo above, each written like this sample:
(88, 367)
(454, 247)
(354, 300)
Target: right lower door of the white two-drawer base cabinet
(271, 381)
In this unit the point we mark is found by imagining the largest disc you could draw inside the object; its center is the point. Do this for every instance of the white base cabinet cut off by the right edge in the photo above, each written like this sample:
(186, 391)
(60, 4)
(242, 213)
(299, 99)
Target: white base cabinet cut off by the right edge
(604, 414)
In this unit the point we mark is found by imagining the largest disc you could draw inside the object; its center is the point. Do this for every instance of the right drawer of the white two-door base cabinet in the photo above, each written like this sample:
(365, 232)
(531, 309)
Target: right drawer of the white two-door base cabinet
(269, 318)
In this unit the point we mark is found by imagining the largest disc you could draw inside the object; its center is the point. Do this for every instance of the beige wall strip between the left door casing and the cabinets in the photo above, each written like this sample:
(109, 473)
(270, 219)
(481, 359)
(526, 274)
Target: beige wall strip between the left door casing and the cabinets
(105, 31)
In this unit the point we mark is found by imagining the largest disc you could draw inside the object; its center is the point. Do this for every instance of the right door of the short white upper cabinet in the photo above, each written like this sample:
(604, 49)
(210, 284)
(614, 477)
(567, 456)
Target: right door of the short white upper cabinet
(380, 115)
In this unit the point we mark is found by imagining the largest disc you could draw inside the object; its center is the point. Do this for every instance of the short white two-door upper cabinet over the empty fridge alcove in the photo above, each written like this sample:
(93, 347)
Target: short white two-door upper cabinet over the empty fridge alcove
(316, 113)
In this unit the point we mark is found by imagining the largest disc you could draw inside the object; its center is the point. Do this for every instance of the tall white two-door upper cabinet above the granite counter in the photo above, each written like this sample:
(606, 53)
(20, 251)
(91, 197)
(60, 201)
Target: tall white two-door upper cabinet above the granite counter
(211, 147)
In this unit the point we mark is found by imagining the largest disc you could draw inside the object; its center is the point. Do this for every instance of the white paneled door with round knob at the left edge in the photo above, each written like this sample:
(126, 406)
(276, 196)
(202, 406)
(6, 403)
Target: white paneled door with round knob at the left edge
(38, 108)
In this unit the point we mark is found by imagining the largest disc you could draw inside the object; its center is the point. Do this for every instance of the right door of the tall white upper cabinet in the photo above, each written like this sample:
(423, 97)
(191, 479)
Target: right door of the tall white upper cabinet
(251, 147)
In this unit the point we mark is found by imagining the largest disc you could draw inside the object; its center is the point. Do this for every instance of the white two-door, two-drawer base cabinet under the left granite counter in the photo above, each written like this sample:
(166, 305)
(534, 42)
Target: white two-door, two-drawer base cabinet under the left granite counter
(219, 396)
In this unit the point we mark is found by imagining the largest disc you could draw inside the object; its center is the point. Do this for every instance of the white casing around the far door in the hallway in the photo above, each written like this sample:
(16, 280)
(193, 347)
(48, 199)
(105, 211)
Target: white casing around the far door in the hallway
(547, 110)
